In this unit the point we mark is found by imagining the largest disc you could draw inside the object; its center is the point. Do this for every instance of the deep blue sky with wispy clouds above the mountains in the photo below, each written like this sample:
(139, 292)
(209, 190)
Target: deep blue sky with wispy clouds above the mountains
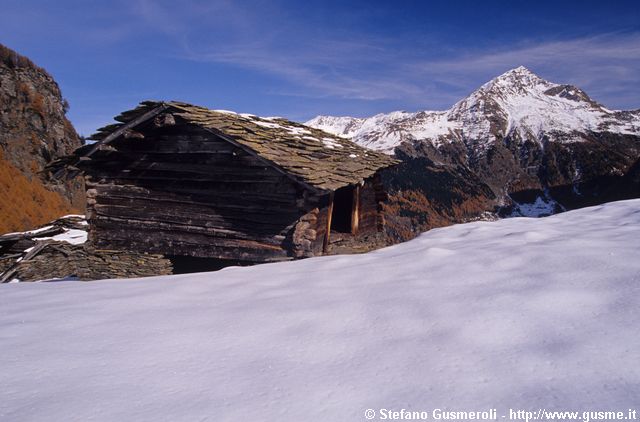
(298, 59)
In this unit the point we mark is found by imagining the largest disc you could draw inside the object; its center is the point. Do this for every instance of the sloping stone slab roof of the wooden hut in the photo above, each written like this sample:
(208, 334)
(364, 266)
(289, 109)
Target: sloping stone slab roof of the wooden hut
(313, 157)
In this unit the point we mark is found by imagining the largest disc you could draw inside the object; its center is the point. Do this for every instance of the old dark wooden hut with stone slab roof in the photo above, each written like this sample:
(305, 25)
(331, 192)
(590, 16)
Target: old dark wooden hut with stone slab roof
(182, 180)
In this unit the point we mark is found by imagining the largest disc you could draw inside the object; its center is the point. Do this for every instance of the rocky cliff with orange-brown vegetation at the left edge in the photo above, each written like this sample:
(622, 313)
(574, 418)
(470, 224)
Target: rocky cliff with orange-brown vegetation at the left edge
(33, 131)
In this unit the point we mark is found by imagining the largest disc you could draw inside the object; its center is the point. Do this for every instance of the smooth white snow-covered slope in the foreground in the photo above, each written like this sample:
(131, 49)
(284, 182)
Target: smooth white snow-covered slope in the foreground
(518, 313)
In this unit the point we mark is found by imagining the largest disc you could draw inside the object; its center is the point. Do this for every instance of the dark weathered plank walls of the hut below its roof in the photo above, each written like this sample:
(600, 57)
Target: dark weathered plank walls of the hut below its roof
(182, 190)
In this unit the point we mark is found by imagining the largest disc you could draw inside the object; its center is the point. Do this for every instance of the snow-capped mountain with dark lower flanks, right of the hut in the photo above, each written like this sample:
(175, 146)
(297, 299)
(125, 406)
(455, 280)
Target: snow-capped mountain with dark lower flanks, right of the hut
(539, 147)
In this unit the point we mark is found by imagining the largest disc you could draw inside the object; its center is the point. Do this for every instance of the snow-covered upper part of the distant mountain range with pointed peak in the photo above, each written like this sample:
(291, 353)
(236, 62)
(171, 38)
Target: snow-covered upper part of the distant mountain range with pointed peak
(517, 101)
